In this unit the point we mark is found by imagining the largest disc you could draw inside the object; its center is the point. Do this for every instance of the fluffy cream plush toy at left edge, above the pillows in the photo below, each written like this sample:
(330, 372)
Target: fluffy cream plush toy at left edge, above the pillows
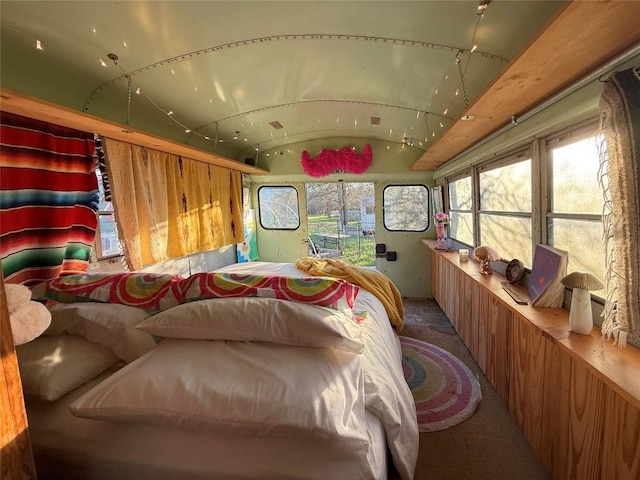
(28, 318)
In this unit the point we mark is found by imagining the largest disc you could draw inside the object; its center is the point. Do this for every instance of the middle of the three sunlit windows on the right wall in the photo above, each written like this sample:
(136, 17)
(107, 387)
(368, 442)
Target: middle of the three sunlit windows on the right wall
(505, 221)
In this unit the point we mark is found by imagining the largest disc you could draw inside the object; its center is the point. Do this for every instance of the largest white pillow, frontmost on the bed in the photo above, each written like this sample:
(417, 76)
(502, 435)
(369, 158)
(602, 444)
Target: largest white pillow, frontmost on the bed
(244, 388)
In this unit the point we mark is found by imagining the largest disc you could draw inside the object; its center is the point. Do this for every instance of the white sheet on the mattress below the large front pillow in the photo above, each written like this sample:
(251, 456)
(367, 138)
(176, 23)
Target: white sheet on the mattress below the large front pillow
(67, 447)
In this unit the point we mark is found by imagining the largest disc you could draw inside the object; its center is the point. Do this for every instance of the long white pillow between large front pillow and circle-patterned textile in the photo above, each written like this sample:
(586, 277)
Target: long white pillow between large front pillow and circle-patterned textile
(258, 319)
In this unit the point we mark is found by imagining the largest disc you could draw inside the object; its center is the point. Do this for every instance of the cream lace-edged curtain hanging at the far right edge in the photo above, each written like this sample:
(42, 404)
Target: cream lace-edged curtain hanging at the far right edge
(620, 179)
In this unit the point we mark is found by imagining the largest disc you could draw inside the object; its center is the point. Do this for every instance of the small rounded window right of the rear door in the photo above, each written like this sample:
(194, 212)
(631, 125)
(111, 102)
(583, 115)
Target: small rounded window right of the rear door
(406, 208)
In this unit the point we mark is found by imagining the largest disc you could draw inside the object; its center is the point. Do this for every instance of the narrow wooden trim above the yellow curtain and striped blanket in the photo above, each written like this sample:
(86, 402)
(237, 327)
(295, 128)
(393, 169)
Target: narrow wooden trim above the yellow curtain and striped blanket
(30, 107)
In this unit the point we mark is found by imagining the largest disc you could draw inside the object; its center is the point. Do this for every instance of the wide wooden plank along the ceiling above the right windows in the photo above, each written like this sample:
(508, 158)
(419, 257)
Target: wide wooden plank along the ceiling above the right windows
(583, 36)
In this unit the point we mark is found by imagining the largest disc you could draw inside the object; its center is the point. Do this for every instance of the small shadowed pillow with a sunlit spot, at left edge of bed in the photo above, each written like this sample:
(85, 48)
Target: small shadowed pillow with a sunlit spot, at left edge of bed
(50, 367)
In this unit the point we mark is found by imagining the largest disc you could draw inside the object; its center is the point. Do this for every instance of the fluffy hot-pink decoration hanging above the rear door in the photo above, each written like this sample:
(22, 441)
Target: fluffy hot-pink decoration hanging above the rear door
(333, 161)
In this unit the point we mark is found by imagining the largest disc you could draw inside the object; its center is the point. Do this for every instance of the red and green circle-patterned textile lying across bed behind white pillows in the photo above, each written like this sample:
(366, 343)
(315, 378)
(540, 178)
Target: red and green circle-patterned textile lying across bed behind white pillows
(157, 292)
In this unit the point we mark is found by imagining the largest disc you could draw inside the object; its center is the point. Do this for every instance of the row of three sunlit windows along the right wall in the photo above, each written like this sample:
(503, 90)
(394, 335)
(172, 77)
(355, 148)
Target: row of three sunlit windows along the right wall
(549, 195)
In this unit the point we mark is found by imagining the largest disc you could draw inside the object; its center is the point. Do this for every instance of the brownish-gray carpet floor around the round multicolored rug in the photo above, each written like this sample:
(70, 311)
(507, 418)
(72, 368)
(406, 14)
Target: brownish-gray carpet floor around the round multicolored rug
(488, 445)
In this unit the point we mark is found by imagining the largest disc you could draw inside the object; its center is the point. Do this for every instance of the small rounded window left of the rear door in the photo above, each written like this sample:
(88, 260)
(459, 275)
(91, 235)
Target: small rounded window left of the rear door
(278, 207)
